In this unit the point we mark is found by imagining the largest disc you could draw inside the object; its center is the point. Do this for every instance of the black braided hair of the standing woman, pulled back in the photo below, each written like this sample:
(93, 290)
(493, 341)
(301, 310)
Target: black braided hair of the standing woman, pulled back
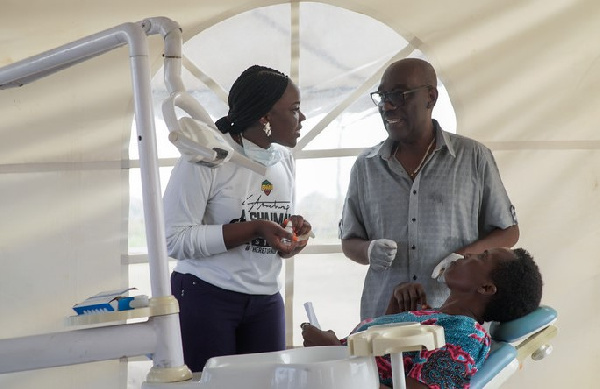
(252, 96)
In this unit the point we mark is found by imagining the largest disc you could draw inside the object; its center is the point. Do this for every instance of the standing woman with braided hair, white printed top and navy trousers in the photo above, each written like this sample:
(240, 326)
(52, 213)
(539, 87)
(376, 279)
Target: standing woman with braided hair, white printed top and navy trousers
(224, 225)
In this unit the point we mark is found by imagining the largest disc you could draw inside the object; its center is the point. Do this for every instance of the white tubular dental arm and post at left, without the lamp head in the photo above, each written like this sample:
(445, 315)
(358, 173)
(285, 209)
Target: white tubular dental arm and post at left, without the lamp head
(160, 335)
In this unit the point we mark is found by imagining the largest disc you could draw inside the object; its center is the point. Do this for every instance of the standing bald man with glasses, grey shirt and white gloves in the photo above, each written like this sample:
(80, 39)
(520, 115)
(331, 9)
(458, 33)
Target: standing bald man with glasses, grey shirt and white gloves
(420, 195)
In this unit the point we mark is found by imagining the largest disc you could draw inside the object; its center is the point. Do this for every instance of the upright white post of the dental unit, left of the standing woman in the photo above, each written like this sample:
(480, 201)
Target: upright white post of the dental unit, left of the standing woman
(168, 356)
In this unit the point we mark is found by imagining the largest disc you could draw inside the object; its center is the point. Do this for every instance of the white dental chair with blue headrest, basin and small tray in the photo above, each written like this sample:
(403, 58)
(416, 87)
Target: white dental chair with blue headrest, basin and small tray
(354, 367)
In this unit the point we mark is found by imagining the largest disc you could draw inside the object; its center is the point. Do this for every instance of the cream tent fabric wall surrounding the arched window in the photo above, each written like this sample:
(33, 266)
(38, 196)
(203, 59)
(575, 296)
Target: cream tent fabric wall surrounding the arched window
(523, 77)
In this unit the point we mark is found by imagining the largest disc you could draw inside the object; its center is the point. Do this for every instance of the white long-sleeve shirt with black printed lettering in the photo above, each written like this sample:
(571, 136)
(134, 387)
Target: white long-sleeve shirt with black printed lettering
(199, 200)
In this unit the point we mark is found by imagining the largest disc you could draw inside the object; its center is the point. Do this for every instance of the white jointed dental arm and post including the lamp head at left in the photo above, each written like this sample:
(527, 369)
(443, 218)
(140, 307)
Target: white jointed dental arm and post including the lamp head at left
(197, 138)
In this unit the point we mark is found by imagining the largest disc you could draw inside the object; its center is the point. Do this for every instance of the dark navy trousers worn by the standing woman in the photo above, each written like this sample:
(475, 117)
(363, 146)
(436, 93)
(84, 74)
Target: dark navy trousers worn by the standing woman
(217, 321)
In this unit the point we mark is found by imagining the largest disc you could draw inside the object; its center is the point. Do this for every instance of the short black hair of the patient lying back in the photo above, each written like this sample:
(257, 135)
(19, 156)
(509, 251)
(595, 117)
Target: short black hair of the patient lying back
(518, 288)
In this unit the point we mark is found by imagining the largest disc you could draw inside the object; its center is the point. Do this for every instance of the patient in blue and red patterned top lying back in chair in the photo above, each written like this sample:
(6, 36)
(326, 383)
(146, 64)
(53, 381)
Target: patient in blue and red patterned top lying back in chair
(499, 285)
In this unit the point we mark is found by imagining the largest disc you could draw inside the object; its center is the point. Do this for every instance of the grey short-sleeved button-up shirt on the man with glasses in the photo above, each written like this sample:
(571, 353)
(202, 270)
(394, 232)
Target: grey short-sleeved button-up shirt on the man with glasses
(457, 198)
